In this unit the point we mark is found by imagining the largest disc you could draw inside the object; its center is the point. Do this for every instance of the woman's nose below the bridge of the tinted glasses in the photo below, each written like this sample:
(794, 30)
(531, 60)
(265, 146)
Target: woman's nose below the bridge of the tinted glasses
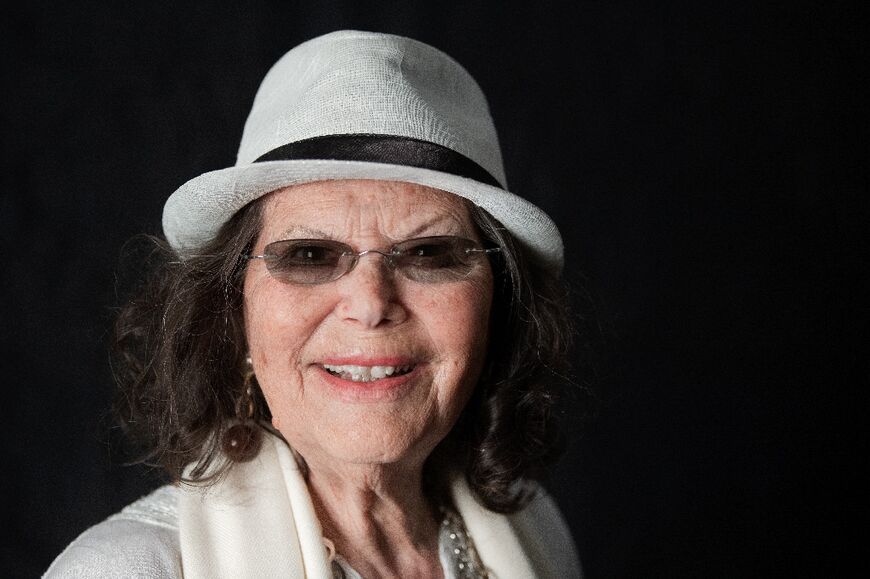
(369, 294)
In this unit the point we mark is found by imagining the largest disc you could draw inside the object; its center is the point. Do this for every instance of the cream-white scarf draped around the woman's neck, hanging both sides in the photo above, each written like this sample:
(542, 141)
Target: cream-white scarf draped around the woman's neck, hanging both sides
(240, 527)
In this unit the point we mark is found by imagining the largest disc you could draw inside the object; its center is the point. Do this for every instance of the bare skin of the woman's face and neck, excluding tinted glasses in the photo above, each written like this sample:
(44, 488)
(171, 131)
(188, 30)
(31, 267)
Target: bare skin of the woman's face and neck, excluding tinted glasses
(365, 445)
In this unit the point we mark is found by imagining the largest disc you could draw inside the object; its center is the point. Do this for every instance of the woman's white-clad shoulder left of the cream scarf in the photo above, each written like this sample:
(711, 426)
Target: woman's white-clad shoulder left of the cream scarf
(141, 541)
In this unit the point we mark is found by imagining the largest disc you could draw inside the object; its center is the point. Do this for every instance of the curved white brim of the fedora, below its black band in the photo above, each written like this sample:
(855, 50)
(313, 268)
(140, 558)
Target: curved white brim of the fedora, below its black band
(195, 212)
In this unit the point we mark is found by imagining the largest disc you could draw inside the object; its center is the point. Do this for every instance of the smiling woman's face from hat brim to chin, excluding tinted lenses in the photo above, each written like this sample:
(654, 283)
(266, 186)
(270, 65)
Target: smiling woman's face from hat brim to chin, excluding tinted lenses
(430, 336)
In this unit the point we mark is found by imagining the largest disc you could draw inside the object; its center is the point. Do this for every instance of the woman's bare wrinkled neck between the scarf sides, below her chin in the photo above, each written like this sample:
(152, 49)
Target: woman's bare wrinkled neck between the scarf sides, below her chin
(378, 518)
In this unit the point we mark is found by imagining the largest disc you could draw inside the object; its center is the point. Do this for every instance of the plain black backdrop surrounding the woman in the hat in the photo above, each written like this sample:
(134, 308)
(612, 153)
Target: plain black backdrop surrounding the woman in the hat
(706, 162)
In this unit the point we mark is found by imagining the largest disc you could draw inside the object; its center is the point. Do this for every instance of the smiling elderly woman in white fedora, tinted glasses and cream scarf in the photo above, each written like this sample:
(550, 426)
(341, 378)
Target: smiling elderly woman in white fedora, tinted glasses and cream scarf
(347, 352)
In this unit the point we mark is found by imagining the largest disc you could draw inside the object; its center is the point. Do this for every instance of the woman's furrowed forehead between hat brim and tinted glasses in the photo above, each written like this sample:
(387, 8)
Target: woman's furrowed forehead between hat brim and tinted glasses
(347, 208)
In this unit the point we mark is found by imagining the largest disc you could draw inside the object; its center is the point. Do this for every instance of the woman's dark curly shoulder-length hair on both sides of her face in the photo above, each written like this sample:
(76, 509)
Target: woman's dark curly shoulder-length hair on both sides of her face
(179, 346)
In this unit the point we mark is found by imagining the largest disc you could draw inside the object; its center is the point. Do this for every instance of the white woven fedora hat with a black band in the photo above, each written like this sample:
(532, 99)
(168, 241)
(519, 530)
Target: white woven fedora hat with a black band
(363, 105)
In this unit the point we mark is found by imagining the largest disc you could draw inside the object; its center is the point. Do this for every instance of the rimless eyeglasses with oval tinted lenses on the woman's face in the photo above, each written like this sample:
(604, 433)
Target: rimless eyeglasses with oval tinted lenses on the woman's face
(425, 259)
